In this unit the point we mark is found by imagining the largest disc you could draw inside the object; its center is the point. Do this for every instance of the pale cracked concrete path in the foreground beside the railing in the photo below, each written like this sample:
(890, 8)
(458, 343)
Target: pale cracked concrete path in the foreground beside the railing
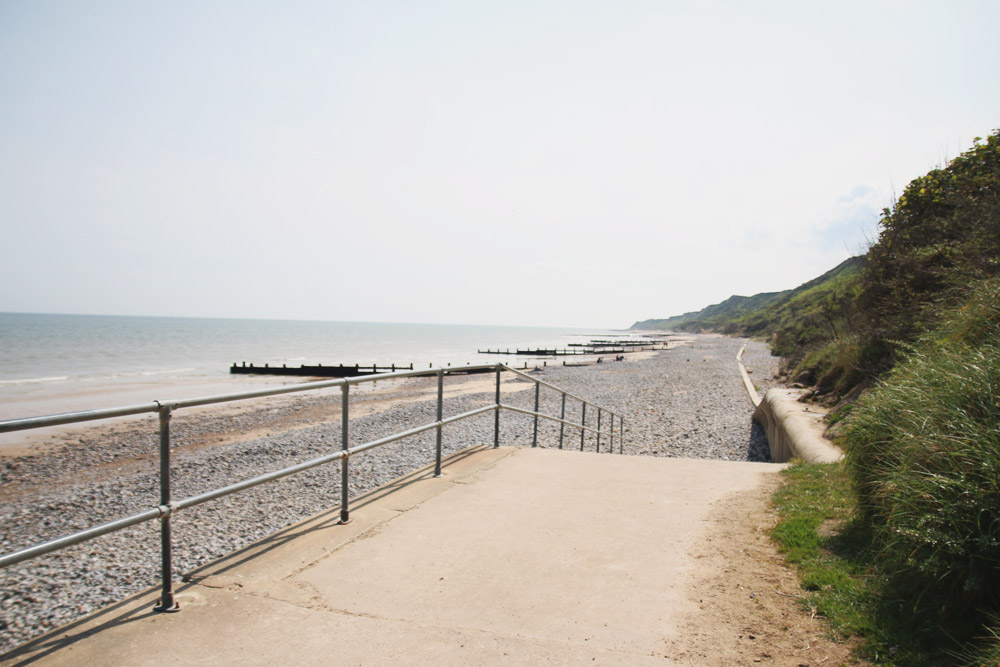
(513, 556)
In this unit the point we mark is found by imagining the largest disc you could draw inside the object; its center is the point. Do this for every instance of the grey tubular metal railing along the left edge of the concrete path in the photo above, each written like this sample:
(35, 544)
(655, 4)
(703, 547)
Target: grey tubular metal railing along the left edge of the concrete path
(165, 409)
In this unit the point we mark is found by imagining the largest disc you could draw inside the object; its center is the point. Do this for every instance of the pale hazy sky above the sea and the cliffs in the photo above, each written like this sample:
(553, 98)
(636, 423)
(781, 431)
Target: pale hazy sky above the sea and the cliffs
(571, 164)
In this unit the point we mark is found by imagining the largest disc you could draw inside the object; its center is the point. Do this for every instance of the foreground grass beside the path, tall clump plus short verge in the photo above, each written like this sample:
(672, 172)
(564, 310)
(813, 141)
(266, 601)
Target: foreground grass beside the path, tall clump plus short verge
(900, 546)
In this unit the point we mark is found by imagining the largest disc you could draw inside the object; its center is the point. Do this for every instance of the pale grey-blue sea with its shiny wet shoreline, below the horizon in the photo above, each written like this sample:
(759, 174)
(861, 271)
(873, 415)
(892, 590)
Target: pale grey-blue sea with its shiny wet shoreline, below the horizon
(60, 363)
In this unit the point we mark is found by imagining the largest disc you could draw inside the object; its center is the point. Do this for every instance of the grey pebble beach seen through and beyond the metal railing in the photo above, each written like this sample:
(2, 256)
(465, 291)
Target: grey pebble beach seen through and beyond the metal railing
(687, 401)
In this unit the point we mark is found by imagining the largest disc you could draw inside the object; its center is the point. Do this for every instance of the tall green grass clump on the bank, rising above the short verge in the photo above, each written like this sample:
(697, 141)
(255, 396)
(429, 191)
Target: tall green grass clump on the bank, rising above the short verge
(923, 450)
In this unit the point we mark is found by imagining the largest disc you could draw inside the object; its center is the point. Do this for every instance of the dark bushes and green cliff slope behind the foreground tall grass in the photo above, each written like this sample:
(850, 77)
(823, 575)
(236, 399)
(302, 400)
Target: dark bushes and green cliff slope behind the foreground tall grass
(843, 331)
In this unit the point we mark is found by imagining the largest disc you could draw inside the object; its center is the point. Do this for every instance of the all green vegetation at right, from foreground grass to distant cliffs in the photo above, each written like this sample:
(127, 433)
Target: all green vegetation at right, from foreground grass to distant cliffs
(900, 546)
